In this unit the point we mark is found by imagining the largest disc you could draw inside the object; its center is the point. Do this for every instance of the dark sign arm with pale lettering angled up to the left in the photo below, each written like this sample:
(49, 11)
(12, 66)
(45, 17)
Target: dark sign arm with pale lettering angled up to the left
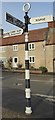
(14, 21)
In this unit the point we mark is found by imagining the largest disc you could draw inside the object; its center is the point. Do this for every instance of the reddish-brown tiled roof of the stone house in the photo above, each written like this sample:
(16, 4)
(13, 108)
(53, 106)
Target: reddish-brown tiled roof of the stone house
(34, 36)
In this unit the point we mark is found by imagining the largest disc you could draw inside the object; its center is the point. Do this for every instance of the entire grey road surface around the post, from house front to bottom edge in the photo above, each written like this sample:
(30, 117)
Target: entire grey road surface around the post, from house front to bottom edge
(42, 91)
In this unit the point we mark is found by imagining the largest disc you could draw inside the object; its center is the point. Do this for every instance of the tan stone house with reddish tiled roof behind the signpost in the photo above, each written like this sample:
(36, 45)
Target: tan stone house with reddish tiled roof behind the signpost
(41, 48)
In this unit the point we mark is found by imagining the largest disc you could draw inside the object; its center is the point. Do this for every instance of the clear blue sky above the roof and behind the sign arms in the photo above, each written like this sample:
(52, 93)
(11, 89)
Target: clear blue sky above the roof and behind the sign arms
(15, 9)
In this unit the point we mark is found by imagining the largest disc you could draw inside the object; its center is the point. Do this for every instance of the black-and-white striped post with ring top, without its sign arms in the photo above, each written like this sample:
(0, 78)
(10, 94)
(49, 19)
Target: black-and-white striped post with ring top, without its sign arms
(26, 8)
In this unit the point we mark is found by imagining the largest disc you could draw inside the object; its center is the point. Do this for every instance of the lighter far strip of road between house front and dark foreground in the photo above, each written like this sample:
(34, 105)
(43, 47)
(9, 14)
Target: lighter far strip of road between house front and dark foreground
(40, 84)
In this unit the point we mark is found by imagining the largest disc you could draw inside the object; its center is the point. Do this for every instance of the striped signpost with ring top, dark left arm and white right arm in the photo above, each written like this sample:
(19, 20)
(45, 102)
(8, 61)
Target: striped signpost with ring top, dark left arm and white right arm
(18, 23)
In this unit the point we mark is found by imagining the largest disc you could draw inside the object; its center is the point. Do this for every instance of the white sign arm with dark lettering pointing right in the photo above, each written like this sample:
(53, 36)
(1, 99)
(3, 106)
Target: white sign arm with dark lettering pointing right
(41, 19)
